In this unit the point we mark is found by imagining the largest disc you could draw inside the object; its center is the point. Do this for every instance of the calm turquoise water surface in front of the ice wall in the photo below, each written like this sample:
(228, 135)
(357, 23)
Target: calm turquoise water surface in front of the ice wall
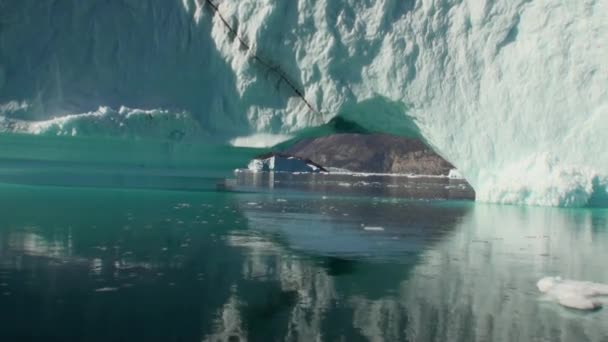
(117, 254)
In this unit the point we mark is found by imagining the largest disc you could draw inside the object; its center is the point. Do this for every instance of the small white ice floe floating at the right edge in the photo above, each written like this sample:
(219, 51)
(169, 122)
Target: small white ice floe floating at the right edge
(574, 294)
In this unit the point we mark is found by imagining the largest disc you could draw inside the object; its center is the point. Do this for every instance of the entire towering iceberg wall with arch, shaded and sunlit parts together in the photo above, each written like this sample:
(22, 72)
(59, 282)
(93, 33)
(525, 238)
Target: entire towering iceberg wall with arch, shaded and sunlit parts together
(513, 92)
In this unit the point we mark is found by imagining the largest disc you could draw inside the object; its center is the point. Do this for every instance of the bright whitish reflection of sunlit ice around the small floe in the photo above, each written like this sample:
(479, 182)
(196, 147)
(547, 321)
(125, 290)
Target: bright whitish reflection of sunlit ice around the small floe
(487, 273)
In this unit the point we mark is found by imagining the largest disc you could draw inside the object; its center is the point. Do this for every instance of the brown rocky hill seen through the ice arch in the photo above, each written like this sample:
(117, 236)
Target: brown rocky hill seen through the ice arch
(376, 153)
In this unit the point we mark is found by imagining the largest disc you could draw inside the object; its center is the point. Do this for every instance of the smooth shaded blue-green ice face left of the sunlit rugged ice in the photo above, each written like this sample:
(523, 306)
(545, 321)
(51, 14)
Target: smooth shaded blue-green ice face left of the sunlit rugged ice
(68, 57)
